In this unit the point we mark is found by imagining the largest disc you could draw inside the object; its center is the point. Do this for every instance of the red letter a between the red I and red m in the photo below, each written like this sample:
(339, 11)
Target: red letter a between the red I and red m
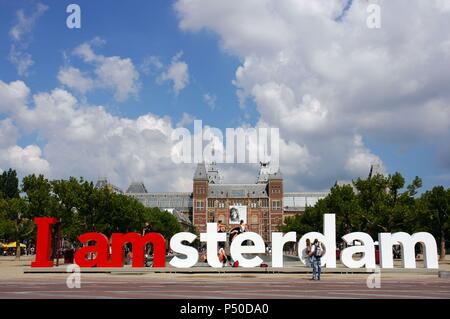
(100, 248)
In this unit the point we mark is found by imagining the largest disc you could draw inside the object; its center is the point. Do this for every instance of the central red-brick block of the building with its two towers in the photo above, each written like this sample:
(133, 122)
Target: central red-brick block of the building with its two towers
(260, 205)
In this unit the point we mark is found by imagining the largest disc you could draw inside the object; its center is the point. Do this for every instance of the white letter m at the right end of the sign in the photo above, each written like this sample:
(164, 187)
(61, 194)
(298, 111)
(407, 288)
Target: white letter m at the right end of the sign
(408, 242)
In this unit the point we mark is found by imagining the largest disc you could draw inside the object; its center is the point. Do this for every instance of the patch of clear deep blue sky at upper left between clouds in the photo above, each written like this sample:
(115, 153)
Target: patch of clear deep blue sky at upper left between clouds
(136, 30)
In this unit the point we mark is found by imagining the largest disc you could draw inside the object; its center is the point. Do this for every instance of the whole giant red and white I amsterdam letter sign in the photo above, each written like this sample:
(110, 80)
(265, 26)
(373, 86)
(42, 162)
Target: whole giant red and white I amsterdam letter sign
(110, 253)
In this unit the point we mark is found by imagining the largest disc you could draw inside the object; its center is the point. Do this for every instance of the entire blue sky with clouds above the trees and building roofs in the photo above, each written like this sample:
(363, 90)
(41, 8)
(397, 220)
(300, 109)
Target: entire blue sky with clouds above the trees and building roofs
(104, 100)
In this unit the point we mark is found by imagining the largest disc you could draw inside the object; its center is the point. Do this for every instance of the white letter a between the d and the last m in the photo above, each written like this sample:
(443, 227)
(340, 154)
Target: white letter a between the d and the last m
(367, 248)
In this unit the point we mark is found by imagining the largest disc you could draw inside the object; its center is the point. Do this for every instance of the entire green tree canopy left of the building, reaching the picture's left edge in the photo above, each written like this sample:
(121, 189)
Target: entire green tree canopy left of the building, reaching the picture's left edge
(80, 208)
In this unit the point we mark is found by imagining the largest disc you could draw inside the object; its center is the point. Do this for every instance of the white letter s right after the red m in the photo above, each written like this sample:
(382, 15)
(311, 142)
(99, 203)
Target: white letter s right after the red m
(176, 244)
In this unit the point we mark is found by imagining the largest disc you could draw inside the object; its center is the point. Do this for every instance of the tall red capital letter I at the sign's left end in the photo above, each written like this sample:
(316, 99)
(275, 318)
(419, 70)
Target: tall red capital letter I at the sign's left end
(43, 242)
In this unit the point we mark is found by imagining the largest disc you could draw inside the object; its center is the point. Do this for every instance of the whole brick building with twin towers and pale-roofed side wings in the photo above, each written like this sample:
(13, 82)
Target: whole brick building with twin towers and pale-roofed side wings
(263, 205)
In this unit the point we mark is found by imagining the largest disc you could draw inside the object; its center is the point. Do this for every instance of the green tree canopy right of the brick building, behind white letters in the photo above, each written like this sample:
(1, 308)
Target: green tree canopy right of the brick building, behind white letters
(380, 204)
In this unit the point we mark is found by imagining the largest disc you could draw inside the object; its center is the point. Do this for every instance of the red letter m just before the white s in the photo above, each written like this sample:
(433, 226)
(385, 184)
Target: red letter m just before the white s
(138, 242)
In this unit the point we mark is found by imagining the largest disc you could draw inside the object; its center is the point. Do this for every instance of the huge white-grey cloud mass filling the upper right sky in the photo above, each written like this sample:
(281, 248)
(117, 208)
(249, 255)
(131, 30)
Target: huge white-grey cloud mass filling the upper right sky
(323, 82)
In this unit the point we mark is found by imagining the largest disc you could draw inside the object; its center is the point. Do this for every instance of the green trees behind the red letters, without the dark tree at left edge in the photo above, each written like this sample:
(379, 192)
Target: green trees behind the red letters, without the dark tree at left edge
(82, 208)
